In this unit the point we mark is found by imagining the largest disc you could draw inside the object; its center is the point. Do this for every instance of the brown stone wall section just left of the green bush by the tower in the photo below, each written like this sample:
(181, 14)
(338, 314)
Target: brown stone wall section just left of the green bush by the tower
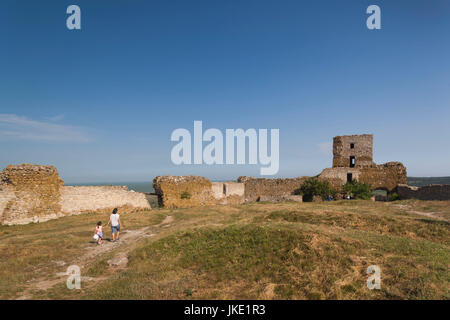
(262, 189)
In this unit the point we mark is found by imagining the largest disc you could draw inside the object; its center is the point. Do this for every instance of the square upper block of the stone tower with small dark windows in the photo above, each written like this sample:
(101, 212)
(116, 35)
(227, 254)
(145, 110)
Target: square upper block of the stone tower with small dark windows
(355, 151)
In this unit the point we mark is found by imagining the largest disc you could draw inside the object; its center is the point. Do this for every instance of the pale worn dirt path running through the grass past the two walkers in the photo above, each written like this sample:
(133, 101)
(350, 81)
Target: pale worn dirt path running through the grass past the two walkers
(128, 241)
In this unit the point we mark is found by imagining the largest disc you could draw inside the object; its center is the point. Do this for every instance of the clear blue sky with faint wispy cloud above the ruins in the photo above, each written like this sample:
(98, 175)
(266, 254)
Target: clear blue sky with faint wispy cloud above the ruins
(101, 103)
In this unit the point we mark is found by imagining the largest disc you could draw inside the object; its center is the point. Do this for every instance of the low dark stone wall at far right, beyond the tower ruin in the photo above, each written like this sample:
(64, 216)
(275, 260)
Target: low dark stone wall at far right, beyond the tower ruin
(431, 192)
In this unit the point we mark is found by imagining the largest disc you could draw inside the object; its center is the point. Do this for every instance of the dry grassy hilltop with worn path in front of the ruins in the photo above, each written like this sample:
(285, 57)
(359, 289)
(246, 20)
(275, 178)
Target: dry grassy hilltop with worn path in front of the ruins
(250, 251)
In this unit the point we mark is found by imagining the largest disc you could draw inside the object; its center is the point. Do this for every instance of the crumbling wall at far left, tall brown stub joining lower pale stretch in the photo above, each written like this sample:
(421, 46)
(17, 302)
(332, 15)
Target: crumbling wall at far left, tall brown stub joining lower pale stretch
(34, 193)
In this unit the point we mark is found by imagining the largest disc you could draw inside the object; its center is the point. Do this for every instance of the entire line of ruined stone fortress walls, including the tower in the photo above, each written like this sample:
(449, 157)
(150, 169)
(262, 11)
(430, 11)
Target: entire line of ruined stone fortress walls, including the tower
(32, 193)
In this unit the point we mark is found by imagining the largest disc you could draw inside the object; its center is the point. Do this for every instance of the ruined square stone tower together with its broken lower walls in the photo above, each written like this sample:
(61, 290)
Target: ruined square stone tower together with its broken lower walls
(353, 160)
